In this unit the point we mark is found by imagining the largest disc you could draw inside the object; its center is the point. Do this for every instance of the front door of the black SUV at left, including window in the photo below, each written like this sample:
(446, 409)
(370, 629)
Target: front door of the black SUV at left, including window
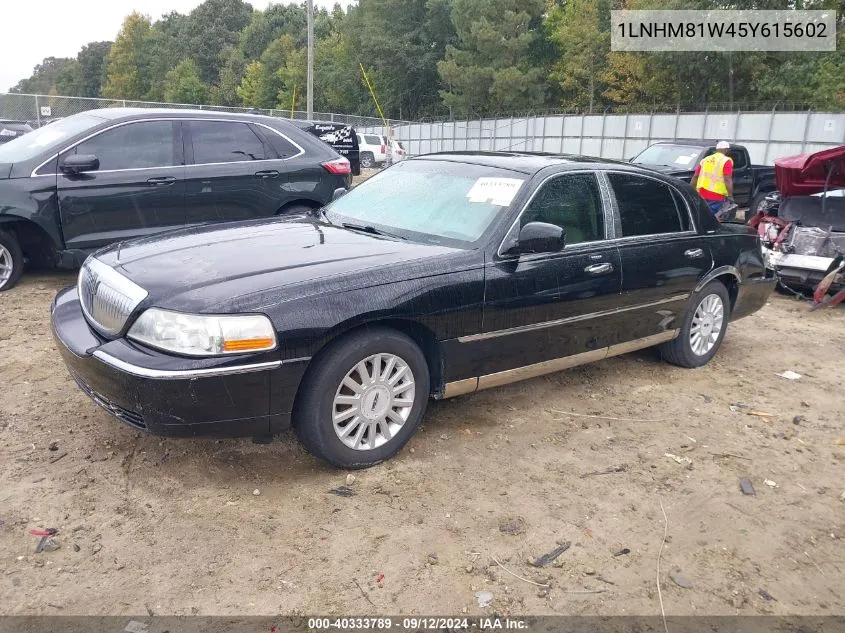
(138, 190)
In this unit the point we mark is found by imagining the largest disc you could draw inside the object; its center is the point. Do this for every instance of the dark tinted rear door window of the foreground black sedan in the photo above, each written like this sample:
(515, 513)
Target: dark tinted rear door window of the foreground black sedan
(646, 206)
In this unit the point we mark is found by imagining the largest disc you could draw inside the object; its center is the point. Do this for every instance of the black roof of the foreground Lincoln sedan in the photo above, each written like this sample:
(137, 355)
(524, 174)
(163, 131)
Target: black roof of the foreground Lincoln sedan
(526, 162)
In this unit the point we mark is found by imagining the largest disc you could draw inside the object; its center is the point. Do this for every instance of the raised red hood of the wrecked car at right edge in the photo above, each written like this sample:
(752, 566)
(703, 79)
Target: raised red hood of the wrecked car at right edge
(806, 174)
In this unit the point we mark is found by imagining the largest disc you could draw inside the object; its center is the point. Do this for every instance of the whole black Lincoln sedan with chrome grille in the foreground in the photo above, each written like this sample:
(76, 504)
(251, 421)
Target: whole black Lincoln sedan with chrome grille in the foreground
(443, 275)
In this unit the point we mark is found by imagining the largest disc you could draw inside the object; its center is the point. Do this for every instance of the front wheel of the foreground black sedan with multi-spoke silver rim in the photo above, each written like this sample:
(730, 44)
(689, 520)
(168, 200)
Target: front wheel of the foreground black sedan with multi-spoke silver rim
(367, 410)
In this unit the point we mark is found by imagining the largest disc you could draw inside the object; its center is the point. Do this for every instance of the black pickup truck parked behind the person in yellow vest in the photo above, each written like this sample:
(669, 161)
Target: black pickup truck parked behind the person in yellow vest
(680, 158)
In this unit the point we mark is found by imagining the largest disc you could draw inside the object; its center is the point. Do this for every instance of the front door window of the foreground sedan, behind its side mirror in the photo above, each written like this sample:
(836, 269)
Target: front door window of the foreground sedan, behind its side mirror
(572, 202)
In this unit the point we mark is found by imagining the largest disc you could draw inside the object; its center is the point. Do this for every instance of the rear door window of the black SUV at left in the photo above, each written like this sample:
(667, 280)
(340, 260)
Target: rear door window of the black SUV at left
(225, 142)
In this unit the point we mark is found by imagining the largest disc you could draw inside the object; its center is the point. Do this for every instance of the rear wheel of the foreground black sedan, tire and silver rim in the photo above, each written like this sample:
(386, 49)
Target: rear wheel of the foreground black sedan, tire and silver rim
(682, 351)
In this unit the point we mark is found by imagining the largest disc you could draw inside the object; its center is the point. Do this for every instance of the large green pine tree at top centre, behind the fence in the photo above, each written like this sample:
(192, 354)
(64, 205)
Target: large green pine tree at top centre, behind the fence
(492, 68)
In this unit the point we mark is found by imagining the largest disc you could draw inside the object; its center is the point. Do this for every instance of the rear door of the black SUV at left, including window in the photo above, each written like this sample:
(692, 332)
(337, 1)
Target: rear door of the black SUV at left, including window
(231, 173)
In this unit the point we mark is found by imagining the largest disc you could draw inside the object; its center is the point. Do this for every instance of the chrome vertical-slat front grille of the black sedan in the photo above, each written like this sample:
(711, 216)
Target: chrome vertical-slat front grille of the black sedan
(108, 298)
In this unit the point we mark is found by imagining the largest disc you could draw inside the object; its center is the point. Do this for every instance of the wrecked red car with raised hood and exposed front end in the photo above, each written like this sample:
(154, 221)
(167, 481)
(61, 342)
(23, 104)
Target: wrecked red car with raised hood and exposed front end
(802, 225)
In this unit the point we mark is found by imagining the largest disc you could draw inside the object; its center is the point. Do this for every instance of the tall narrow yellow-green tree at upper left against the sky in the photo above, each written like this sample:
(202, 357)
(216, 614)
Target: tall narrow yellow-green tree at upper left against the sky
(126, 76)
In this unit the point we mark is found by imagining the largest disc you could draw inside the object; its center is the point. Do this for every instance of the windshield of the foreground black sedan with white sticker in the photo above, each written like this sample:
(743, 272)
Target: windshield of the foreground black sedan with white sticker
(430, 201)
